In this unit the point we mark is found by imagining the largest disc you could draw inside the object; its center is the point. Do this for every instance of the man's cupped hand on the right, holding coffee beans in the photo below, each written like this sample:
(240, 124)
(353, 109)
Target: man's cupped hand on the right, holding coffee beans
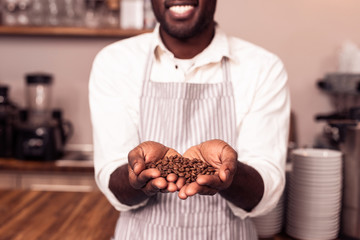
(218, 154)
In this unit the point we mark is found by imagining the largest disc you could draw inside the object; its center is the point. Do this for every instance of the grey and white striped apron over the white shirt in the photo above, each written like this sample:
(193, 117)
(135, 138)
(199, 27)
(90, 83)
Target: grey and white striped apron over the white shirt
(181, 115)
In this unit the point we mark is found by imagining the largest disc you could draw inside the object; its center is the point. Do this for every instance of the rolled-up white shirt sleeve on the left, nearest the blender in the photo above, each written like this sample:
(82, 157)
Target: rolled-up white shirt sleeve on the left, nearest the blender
(113, 115)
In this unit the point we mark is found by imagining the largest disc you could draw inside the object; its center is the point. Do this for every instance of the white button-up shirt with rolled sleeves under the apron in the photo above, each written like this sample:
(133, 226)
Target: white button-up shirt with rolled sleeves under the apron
(261, 99)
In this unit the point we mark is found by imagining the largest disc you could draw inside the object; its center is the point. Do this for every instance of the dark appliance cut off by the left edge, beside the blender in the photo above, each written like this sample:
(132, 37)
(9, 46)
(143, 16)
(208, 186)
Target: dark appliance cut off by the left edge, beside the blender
(7, 118)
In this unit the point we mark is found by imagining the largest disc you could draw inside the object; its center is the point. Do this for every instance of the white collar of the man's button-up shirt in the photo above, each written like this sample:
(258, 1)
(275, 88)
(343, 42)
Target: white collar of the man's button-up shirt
(218, 48)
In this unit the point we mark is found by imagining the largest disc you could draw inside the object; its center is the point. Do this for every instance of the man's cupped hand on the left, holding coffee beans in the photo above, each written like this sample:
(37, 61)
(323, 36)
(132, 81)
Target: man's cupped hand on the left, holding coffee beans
(149, 180)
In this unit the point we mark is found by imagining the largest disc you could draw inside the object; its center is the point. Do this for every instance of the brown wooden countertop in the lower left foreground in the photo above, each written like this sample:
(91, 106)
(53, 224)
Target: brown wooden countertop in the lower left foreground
(36, 215)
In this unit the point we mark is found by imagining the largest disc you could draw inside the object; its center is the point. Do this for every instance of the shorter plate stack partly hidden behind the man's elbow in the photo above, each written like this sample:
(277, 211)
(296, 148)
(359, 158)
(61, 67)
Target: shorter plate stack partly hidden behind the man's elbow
(267, 226)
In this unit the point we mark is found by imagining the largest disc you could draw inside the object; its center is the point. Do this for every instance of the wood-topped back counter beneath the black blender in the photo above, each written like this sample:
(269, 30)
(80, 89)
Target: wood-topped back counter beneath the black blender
(61, 175)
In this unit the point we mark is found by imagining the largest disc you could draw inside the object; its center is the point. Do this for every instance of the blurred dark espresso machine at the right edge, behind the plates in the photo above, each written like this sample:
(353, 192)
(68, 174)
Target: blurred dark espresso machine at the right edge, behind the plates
(342, 132)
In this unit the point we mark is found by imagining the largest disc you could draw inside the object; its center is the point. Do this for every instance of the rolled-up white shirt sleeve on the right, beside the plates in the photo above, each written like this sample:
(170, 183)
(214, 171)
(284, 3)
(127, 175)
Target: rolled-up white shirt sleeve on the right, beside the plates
(263, 135)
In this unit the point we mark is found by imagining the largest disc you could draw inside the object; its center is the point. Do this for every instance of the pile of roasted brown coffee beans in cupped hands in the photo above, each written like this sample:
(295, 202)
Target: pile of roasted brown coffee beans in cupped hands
(183, 167)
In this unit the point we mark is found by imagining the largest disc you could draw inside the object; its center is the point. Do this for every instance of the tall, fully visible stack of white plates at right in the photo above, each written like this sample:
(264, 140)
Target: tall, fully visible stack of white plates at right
(314, 194)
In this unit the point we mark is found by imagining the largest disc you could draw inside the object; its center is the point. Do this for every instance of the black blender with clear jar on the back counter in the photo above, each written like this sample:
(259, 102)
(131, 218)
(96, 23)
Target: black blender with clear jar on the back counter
(41, 132)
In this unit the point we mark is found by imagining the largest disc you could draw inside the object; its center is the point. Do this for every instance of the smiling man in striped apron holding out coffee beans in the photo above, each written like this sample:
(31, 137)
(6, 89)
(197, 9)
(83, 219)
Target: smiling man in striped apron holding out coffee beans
(189, 89)
